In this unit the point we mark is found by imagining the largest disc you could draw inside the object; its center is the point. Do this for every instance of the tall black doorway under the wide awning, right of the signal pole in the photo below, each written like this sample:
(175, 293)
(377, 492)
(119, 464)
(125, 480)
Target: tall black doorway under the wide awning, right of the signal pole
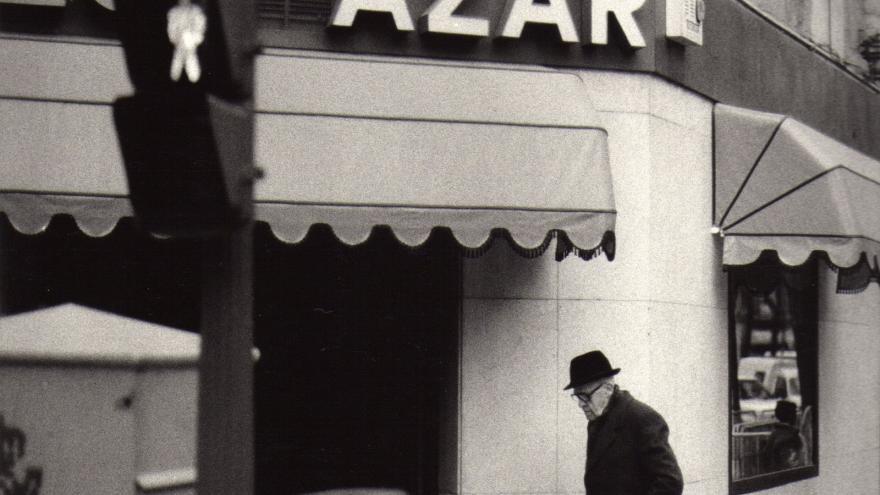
(355, 344)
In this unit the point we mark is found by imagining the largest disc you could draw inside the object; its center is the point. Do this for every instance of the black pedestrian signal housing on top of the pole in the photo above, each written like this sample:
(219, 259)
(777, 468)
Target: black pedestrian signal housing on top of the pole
(188, 145)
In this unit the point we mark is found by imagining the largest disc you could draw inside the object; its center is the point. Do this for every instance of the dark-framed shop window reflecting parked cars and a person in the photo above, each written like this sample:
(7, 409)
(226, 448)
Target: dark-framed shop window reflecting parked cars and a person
(774, 374)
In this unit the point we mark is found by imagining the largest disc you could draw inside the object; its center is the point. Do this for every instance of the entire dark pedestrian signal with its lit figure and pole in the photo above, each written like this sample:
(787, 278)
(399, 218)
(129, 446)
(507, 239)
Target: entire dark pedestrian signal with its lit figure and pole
(186, 137)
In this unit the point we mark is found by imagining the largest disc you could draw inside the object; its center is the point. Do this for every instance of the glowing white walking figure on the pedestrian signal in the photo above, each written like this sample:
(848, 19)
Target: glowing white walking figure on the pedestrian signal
(186, 30)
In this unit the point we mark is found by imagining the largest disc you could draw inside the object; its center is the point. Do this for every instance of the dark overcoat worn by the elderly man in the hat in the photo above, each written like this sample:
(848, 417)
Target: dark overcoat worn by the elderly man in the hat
(628, 451)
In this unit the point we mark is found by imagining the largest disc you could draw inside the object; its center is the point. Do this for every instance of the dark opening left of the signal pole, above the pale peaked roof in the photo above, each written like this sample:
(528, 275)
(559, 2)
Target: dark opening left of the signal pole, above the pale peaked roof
(125, 272)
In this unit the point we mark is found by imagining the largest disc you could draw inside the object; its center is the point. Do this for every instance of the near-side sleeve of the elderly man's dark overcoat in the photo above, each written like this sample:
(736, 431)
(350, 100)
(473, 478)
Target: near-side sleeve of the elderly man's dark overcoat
(657, 461)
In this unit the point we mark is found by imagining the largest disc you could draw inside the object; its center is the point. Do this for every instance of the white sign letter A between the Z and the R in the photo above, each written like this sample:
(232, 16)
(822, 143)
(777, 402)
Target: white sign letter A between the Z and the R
(518, 12)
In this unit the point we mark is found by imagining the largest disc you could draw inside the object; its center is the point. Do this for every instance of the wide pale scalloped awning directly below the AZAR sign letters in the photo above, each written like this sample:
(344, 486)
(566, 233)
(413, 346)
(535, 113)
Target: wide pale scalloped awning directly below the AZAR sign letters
(417, 145)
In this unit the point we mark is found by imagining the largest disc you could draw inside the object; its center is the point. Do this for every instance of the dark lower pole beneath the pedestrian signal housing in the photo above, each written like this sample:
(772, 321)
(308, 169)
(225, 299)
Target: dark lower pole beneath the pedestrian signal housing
(226, 422)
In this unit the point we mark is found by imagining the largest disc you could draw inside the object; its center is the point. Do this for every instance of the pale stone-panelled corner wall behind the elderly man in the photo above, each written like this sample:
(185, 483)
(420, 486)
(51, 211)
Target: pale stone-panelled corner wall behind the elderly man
(659, 311)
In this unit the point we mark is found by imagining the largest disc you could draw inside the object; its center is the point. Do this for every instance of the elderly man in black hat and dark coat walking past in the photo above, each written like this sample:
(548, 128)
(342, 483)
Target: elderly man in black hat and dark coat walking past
(628, 452)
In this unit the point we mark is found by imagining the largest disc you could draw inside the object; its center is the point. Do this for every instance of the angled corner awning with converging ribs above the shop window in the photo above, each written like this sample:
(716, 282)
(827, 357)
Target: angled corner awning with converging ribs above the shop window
(782, 186)
